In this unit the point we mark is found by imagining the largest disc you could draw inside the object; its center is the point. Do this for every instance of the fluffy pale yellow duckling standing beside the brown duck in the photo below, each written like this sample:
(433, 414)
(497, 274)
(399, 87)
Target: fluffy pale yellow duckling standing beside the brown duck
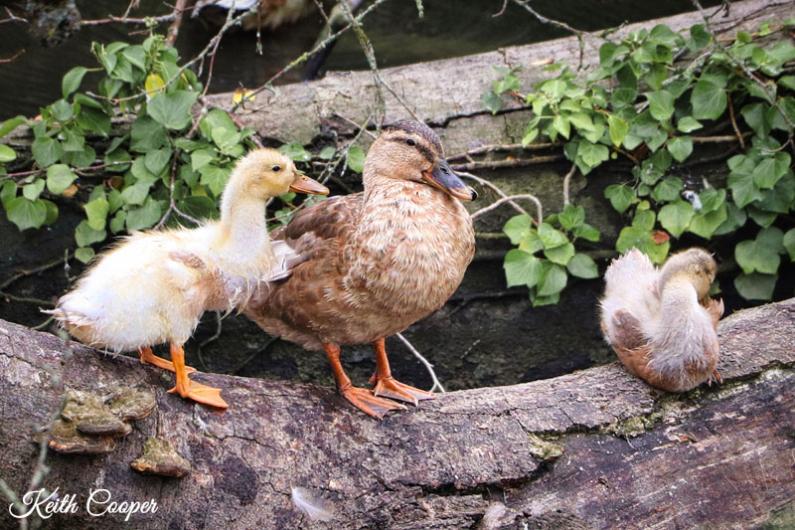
(154, 286)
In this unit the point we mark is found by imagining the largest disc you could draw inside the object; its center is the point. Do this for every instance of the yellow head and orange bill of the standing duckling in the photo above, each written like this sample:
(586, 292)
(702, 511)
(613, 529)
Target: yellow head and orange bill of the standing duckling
(265, 173)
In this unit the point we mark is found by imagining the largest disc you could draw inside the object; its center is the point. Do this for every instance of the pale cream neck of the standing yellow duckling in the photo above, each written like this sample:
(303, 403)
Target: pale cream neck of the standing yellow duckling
(243, 236)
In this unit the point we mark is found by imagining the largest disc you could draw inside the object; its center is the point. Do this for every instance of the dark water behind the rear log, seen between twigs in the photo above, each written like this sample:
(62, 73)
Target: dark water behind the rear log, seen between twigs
(448, 29)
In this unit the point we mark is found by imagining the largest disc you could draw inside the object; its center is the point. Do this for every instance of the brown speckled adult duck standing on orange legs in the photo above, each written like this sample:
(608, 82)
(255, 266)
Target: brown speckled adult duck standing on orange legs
(376, 261)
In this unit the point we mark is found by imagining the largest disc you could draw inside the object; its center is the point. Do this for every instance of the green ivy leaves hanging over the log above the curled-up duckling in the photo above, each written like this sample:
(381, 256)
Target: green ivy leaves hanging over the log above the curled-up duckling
(646, 101)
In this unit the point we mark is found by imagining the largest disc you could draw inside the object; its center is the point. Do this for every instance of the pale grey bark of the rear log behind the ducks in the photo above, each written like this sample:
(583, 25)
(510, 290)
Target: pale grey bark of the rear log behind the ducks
(447, 93)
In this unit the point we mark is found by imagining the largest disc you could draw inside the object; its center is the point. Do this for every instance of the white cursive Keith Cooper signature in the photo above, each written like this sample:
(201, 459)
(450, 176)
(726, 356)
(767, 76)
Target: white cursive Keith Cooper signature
(100, 502)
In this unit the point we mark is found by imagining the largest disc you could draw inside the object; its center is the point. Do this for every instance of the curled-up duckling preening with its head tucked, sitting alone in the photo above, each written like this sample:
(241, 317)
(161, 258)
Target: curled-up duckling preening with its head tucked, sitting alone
(661, 322)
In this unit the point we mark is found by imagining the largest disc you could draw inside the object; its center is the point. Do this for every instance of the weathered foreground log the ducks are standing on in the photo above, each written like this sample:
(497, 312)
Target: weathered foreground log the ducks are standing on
(592, 449)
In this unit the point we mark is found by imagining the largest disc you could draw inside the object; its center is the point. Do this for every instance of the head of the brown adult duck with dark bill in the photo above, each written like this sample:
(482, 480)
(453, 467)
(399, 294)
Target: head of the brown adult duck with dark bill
(410, 150)
